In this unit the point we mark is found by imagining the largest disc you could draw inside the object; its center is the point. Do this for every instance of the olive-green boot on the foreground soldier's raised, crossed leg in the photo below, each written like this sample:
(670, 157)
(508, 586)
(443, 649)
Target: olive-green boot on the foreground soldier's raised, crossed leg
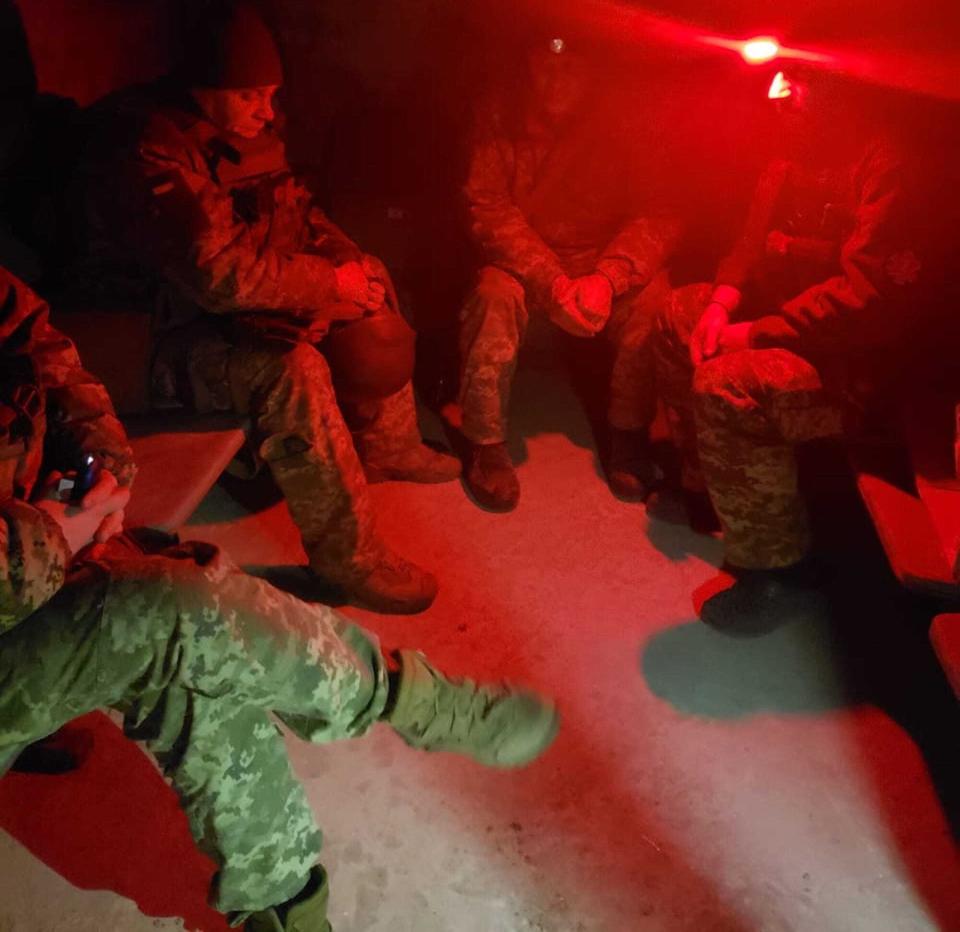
(497, 725)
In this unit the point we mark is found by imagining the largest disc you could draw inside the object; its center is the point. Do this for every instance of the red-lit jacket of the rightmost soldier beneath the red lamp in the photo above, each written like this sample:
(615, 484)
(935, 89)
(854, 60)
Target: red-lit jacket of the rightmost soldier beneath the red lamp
(834, 260)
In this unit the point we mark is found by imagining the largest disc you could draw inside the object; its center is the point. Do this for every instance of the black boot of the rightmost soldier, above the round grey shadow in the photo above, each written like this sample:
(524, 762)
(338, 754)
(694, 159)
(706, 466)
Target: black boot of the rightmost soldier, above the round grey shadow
(761, 601)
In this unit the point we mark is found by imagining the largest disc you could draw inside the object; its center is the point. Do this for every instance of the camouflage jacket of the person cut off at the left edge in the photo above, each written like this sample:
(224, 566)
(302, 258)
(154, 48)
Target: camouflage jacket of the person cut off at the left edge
(43, 390)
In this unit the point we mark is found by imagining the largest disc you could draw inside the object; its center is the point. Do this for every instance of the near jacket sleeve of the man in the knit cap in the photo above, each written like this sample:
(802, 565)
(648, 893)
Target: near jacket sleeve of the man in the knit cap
(187, 225)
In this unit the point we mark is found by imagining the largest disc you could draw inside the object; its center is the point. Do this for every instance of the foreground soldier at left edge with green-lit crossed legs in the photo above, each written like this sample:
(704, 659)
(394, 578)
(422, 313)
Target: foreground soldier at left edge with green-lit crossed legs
(194, 652)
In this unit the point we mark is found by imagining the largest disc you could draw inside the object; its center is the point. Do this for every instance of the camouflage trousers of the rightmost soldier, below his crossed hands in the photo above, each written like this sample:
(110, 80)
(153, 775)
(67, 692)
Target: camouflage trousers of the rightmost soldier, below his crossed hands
(736, 420)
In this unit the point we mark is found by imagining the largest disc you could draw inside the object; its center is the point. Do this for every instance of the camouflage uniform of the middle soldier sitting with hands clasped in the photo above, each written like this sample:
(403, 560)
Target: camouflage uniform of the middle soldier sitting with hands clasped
(546, 203)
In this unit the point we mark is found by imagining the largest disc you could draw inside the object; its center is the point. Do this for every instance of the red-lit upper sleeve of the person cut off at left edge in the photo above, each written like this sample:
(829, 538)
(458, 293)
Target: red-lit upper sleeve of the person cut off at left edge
(76, 401)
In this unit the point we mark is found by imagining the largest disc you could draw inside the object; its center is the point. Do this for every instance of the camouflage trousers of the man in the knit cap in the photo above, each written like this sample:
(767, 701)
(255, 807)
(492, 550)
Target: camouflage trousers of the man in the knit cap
(299, 431)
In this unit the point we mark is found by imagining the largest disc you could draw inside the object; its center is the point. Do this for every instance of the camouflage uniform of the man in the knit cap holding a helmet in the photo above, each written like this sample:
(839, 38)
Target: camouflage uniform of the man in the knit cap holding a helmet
(241, 263)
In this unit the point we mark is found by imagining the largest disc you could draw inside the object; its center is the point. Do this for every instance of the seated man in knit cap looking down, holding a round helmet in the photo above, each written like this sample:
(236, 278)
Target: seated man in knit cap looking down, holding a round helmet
(191, 205)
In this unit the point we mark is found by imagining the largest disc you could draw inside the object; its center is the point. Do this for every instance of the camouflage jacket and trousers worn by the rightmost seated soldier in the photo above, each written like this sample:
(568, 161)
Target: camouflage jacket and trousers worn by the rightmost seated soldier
(828, 317)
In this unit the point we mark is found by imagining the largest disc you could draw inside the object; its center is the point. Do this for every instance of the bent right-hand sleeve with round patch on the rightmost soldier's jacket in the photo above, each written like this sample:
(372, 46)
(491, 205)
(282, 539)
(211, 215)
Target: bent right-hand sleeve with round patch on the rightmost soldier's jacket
(880, 264)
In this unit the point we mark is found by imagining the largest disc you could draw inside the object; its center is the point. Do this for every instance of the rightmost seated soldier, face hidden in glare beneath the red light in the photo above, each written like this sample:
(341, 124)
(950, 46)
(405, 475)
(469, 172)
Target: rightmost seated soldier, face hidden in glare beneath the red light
(825, 302)
